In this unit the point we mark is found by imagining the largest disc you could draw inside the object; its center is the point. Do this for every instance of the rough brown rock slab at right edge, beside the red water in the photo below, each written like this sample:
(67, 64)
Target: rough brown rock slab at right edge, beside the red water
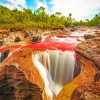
(91, 50)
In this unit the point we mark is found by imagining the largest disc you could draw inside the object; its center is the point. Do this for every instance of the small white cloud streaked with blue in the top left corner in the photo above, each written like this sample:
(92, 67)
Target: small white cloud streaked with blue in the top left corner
(19, 4)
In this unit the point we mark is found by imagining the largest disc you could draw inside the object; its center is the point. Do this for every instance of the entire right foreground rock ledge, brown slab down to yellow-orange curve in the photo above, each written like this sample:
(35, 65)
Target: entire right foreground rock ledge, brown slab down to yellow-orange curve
(86, 86)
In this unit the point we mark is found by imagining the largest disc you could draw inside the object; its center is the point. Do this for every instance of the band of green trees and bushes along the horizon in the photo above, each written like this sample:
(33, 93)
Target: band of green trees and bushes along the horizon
(26, 19)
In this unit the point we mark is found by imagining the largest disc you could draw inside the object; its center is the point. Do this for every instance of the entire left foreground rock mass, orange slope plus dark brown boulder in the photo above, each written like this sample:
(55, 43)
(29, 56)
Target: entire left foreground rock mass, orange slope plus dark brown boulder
(20, 79)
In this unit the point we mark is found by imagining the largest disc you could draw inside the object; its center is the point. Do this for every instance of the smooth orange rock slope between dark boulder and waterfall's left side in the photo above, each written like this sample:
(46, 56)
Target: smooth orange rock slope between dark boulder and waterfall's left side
(22, 59)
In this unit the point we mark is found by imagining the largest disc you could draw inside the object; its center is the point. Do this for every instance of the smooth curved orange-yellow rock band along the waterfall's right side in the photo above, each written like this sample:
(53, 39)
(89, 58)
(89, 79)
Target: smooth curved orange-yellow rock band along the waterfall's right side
(86, 76)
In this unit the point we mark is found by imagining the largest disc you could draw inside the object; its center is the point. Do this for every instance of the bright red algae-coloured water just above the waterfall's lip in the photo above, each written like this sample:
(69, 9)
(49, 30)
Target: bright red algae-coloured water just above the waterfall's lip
(53, 45)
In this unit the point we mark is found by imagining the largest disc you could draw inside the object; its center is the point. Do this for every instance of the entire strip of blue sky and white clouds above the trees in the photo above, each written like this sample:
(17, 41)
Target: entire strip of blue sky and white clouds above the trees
(80, 9)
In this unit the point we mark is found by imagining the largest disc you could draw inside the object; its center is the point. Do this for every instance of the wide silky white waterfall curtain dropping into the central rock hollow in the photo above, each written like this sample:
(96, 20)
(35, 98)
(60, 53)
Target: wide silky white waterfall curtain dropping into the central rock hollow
(60, 65)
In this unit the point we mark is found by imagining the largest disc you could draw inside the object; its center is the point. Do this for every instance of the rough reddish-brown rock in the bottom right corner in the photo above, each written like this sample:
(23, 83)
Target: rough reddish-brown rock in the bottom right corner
(87, 92)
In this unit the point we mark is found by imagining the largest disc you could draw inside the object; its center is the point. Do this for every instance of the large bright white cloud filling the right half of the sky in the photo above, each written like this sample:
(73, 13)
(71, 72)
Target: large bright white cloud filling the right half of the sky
(78, 8)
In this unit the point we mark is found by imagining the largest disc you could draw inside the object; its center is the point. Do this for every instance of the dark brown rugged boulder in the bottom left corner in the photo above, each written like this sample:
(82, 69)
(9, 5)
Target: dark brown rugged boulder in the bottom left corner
(15, 86)
